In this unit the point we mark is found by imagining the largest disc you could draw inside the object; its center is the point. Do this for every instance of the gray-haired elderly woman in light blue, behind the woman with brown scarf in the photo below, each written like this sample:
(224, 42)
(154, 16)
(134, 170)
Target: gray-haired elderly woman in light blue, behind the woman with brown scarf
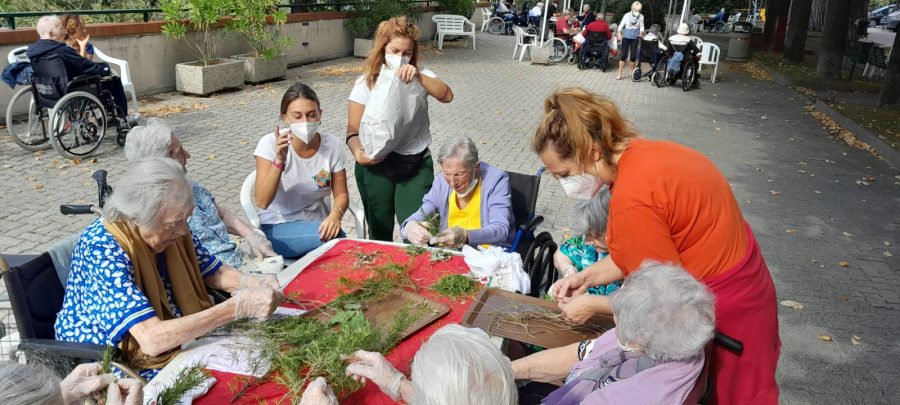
(210, 222)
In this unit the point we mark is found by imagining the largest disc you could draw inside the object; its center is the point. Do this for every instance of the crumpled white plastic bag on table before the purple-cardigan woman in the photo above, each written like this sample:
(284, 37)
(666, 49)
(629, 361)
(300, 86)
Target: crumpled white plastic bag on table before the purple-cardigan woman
(497, 268)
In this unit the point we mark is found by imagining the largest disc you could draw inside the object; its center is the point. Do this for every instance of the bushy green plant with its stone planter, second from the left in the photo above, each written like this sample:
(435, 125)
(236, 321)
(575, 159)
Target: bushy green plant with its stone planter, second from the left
(250, 18)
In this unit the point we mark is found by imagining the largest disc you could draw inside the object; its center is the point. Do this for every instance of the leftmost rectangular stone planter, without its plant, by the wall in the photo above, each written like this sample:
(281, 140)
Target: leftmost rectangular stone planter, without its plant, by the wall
(194, 78)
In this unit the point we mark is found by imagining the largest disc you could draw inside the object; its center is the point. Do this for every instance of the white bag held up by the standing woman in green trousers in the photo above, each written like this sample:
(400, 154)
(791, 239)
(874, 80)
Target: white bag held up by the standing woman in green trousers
(395, 110)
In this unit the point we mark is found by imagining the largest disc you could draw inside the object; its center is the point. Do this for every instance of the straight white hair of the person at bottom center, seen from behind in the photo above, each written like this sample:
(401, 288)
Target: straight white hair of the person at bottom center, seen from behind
(456, 366)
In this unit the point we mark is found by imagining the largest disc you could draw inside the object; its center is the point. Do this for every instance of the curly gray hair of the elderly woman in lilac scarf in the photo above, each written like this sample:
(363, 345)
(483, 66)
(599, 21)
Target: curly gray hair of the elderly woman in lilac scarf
(665, 312)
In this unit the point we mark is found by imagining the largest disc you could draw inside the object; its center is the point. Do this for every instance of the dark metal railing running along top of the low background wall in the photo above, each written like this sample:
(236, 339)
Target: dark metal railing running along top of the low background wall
(145, 13)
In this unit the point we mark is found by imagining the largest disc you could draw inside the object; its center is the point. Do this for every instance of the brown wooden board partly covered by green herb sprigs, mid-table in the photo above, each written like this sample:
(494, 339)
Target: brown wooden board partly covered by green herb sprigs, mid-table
(381, 313)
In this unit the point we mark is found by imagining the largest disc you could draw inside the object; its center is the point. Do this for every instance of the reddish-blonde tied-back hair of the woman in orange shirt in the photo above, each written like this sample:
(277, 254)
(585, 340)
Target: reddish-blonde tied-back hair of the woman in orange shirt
(575, 119)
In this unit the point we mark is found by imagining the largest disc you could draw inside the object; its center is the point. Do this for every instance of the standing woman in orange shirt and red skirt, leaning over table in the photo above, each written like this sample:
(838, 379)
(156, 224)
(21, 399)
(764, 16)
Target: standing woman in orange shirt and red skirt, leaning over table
(671, 204)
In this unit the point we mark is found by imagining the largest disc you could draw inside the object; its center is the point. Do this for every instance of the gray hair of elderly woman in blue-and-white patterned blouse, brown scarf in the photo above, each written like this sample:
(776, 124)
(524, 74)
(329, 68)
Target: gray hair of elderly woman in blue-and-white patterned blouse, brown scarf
(146, 190)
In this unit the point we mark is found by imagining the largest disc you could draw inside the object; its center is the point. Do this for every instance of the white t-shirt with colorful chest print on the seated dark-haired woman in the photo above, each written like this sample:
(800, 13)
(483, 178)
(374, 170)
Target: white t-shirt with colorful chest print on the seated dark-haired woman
(305, 183)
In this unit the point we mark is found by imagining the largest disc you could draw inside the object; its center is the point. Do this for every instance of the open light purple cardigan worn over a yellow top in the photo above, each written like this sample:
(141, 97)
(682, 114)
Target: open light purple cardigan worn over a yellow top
(497, 226)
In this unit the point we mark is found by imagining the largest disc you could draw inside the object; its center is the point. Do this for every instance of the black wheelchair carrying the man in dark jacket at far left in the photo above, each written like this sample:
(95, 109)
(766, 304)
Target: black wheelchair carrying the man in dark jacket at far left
(72, 113)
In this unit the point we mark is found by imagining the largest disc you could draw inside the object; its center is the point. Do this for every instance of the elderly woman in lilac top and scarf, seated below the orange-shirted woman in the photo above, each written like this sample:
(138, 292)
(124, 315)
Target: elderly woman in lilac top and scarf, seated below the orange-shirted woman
(664, 319)
